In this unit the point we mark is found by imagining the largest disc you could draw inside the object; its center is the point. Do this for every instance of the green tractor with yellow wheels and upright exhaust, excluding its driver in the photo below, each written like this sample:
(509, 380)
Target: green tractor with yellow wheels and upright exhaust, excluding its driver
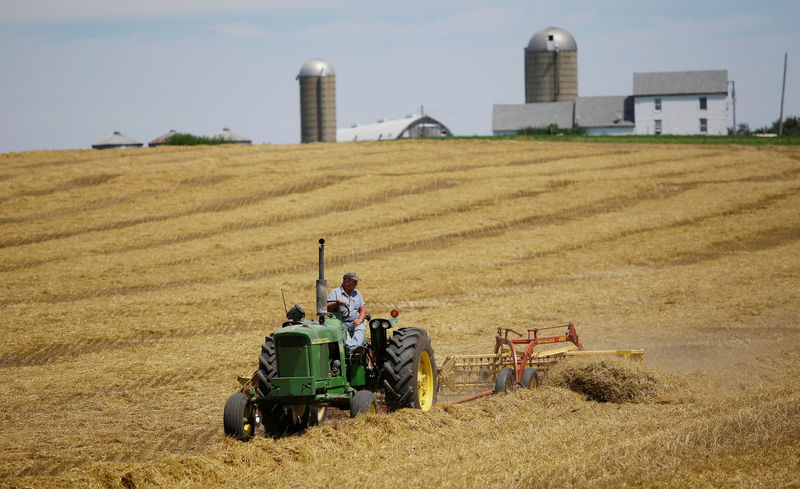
(304, 369)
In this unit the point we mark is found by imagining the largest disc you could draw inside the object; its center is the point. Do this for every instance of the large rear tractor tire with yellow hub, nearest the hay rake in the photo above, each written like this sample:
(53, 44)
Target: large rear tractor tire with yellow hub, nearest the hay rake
(409, 375)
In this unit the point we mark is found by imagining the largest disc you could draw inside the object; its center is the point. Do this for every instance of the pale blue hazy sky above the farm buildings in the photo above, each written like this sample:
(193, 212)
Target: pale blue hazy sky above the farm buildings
(74, 71)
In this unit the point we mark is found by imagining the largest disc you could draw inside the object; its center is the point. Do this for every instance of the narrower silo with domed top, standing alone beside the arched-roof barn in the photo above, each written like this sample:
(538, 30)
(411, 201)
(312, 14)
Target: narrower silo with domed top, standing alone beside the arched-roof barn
(317, 102)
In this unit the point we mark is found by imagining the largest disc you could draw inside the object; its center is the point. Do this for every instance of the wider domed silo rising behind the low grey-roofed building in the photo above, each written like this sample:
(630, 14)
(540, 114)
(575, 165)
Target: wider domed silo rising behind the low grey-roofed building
(551, 67)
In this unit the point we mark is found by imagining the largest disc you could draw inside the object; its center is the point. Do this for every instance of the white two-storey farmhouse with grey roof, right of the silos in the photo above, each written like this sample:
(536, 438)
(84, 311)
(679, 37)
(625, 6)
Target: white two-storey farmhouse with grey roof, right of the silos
(681, 102)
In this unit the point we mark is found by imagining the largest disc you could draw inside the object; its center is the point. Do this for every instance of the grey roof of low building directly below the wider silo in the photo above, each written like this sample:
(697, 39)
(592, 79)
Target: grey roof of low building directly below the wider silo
(520, 116)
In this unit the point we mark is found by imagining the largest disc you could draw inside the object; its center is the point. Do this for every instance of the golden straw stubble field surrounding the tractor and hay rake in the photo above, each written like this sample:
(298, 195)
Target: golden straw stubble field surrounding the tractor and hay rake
(137, 284)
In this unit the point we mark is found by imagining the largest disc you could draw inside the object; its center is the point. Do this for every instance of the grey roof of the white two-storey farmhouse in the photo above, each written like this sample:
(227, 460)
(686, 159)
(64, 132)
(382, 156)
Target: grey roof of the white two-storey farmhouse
(680, 83)
